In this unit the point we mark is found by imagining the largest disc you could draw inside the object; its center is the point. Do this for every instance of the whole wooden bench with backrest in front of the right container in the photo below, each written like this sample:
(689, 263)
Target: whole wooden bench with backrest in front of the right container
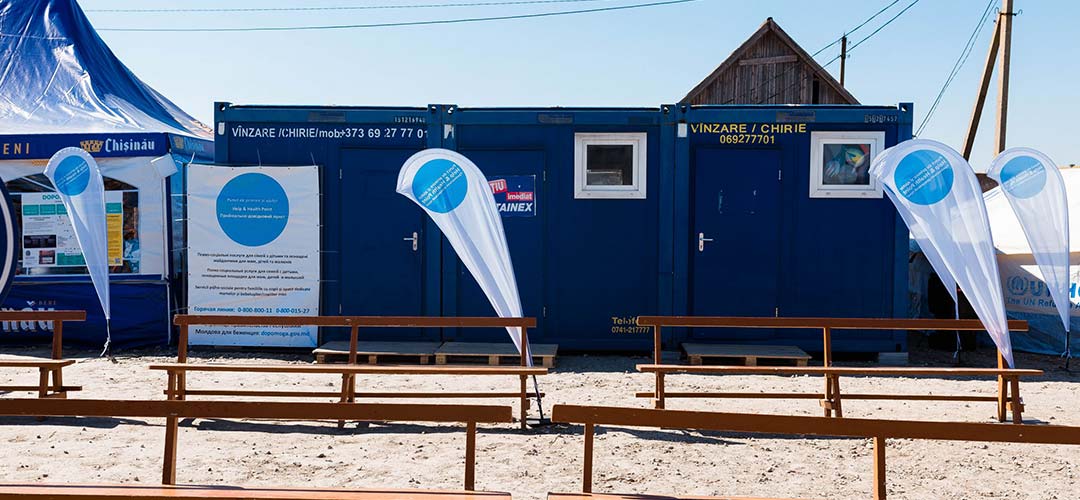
(1008, 380)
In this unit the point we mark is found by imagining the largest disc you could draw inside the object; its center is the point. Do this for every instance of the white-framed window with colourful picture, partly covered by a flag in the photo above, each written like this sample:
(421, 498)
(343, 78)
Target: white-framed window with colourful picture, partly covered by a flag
(841, 164)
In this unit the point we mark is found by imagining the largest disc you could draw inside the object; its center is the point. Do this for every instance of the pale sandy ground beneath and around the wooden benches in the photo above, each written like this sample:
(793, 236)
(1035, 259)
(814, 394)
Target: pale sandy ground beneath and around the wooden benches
(530, 464)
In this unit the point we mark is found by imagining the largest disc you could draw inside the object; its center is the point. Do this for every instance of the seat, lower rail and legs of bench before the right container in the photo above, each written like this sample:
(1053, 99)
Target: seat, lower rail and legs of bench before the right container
(832, 401)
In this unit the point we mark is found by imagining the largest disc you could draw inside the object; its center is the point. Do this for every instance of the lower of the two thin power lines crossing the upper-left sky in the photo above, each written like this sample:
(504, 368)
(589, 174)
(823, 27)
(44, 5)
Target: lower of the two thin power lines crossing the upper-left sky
(402, 24)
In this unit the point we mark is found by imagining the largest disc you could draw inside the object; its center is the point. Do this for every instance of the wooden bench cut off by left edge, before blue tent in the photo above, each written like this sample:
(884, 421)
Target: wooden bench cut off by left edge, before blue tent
(47, 369)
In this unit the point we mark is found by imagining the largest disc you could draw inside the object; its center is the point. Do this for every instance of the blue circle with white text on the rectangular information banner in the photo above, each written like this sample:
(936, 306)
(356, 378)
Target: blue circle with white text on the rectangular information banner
(253, 210)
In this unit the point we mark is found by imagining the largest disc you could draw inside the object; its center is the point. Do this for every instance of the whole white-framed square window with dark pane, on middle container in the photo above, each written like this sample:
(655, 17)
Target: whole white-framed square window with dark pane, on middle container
(610, 166)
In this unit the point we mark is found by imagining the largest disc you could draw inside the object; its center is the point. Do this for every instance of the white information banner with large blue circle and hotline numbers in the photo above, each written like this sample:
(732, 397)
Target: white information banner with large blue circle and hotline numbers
(253, 250)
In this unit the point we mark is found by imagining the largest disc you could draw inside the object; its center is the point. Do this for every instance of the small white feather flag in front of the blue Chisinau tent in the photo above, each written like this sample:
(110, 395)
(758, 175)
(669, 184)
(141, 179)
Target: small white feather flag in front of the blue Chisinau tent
(78, 181)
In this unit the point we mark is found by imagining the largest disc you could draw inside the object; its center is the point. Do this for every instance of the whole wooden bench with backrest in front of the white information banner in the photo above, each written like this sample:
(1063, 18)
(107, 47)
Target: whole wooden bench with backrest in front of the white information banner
(348, 393)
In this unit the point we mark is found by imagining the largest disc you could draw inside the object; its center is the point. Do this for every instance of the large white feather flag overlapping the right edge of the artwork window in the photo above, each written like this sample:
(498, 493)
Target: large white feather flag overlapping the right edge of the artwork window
(935, 188)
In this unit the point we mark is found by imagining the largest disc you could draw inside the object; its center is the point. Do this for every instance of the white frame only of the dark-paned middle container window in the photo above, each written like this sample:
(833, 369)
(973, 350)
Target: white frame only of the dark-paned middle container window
(634, 192)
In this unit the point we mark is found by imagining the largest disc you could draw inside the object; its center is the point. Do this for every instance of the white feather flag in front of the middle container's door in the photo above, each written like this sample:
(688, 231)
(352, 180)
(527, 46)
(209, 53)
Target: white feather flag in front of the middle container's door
(455, 194)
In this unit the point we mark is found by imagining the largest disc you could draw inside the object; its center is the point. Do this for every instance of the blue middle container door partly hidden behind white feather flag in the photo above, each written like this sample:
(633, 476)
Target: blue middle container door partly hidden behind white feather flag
(524, 226)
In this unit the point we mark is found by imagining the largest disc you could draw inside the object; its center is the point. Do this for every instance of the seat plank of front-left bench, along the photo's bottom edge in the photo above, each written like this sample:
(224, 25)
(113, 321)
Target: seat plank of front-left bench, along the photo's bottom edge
(195, 493)
